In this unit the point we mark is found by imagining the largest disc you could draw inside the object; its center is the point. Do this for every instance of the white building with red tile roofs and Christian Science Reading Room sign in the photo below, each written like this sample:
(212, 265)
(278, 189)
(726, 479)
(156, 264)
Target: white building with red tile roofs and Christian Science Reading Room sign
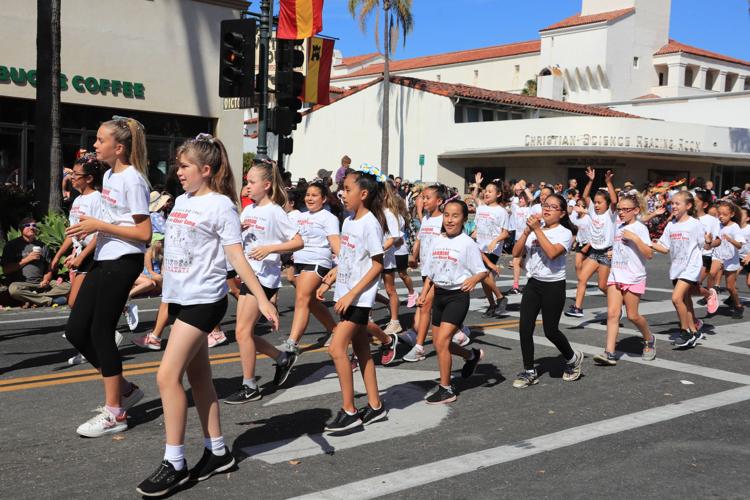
(620, 94)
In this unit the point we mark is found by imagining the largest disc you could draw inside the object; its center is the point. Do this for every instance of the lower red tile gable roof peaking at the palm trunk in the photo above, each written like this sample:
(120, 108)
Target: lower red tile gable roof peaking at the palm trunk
(494, 96)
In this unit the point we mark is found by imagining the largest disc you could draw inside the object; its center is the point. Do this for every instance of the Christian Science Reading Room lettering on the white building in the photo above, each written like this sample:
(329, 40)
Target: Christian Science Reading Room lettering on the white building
(613, 141)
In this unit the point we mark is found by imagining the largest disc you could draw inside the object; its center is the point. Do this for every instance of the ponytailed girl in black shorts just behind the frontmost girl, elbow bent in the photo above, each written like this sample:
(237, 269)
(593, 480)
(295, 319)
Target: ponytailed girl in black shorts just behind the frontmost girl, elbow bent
(266, 233)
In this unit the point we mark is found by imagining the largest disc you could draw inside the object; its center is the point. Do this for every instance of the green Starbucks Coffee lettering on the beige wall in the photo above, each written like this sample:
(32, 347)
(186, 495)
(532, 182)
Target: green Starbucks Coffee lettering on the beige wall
(81, 84)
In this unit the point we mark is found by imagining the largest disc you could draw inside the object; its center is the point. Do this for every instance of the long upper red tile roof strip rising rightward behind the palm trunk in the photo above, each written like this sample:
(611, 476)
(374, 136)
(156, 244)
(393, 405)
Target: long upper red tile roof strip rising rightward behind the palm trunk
(494, 52)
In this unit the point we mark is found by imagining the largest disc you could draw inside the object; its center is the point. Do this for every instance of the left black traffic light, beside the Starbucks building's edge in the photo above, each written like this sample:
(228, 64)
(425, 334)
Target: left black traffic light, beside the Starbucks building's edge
(237, 65)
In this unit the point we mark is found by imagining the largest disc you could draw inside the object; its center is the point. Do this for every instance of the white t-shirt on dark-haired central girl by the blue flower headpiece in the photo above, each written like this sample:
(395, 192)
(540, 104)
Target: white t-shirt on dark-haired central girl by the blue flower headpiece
(361, 240)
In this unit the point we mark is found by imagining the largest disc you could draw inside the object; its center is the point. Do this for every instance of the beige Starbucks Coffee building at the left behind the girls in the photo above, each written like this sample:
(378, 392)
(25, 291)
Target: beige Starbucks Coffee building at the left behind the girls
(162, 57)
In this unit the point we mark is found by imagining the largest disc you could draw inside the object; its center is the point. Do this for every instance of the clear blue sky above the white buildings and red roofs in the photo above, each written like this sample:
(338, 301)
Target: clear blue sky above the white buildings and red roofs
(442, 26)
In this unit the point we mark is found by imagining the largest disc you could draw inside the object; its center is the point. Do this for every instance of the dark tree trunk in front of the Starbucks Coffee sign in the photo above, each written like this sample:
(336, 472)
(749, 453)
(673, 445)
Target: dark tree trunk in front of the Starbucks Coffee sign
(47, 149)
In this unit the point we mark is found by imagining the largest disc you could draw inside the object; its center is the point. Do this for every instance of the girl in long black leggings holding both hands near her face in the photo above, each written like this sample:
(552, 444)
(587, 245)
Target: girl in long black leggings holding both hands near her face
(546, 247)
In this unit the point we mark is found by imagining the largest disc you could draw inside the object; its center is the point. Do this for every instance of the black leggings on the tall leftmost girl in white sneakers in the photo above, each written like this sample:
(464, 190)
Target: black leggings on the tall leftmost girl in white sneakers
(101, 299)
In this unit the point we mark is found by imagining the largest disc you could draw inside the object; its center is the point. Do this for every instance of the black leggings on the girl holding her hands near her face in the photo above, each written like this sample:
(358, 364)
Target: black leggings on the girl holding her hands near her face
(549, 297)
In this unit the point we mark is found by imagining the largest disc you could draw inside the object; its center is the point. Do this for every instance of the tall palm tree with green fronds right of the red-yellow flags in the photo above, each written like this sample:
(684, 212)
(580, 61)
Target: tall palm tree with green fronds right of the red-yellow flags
(396, 17)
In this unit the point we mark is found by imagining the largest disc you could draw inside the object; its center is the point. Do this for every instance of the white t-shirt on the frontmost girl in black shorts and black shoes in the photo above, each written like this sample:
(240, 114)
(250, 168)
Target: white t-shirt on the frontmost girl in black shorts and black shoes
(194, 265)
